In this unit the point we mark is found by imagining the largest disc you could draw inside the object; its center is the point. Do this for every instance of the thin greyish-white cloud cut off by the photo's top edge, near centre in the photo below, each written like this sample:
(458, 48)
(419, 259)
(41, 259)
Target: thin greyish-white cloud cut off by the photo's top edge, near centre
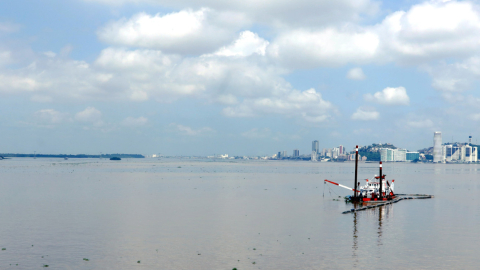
(279, 13)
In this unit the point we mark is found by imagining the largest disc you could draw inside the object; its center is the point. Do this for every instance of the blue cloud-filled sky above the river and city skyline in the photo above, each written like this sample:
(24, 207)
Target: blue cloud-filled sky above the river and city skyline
(236, 77)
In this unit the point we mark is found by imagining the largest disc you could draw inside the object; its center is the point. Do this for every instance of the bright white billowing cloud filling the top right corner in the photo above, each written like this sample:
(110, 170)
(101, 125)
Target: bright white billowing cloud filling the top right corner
(432, 30)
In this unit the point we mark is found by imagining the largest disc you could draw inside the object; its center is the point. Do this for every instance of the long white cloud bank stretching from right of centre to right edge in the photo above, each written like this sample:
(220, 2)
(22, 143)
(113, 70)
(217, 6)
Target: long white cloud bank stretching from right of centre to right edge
(430, 31)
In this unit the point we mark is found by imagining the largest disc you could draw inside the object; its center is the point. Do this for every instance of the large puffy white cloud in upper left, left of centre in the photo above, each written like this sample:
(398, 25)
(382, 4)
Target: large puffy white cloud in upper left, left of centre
(183, 32)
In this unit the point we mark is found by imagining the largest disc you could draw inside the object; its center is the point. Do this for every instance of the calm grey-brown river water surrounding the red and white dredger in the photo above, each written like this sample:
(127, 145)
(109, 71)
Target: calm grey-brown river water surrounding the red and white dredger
(198, 214)
